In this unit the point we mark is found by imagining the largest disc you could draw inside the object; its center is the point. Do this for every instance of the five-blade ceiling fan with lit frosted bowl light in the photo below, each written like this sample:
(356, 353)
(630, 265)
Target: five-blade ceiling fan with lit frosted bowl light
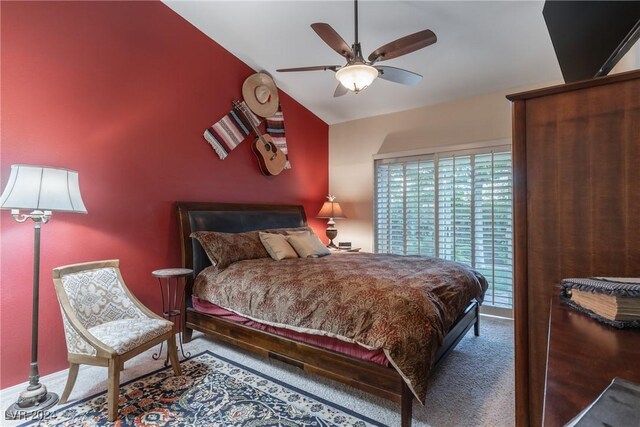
(359, 73)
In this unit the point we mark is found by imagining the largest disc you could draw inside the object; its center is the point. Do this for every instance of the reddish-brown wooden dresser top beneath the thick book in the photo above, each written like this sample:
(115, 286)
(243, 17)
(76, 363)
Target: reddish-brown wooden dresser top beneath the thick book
(584, 356)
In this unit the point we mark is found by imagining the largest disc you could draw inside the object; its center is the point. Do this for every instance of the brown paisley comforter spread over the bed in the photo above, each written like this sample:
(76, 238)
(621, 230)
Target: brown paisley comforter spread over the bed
(402, 304)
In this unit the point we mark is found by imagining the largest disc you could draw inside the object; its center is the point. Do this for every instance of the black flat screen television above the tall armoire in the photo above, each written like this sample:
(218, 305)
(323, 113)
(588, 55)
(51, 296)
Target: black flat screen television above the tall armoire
(590, 37)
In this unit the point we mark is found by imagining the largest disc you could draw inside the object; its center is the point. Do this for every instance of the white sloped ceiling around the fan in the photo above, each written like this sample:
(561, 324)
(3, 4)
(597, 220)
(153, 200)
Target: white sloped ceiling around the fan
(482, 47)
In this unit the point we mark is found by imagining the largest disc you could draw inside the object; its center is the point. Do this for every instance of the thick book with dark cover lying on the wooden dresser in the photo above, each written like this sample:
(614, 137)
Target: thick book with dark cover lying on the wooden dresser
(612, 300)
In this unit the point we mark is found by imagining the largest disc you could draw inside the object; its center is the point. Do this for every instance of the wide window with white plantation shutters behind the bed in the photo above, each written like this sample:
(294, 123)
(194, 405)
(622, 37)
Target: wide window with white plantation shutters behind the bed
(456, 206)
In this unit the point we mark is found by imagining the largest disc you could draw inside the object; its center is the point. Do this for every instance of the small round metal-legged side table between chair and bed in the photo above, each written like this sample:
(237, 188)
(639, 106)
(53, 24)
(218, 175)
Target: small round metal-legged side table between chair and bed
(169, 281)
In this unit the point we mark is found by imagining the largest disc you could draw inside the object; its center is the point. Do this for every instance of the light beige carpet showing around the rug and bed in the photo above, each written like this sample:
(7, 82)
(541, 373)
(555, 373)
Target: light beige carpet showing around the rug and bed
(473, 387)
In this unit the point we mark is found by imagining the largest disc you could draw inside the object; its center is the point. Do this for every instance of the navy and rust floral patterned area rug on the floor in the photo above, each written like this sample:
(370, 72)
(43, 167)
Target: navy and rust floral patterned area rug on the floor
(212, 391)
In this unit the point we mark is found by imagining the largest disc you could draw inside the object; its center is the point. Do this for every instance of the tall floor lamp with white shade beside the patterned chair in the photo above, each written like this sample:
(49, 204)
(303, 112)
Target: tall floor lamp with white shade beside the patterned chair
(40, 190)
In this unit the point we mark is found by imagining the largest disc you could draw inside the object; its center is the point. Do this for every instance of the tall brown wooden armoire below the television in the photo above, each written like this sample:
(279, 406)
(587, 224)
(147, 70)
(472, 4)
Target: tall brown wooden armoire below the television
(576, 165)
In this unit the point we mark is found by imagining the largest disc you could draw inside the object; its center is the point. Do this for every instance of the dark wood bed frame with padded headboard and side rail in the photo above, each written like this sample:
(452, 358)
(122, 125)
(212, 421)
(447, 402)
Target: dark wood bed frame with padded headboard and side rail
(382, 381)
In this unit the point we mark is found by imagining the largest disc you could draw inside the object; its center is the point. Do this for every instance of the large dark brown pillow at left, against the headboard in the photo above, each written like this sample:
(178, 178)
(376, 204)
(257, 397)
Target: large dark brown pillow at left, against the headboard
(224, 249)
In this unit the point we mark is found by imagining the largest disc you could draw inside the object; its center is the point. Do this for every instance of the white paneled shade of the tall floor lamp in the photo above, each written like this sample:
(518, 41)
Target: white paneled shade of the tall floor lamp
(42, 188)
